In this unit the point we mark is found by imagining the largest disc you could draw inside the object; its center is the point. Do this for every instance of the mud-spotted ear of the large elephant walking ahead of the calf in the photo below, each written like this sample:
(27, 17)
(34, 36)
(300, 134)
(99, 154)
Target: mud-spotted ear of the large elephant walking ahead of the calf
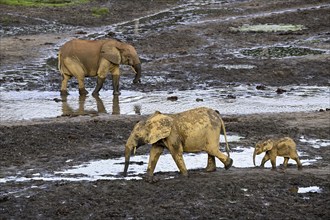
(159, 127)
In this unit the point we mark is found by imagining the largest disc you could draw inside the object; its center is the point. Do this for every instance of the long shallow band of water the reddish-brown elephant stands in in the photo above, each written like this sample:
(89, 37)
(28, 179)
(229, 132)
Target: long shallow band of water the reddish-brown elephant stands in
(25, 105)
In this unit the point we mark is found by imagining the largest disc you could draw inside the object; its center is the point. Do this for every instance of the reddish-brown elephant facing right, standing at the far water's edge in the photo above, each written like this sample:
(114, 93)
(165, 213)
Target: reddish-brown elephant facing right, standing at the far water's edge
(88, 58)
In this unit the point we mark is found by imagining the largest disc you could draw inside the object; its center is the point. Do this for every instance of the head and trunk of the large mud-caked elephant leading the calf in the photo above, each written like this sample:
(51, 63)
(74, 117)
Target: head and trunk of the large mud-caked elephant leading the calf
(149, 131)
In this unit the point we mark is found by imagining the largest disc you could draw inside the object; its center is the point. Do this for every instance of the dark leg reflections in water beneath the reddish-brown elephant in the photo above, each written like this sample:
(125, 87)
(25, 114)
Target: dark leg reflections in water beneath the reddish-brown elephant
(69, 111)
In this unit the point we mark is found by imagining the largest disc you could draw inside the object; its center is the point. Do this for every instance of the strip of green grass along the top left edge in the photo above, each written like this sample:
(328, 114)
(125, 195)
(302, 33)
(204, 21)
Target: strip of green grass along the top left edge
(42, 2)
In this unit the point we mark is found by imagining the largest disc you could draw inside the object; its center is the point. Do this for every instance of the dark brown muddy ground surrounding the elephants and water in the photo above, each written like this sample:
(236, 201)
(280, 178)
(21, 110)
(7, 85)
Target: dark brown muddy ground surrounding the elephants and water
(45, 146)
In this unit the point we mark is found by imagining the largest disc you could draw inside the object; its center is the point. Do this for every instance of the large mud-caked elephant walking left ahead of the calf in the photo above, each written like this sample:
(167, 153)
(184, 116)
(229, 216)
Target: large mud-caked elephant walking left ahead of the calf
(190, 131)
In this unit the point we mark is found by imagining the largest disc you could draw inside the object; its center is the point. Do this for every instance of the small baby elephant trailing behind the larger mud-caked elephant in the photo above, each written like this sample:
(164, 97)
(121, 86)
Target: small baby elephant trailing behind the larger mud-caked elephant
(284, 147)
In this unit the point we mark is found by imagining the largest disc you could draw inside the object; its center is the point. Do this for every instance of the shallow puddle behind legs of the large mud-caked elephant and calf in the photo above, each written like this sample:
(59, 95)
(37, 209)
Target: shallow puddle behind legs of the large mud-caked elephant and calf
(112, 169)
